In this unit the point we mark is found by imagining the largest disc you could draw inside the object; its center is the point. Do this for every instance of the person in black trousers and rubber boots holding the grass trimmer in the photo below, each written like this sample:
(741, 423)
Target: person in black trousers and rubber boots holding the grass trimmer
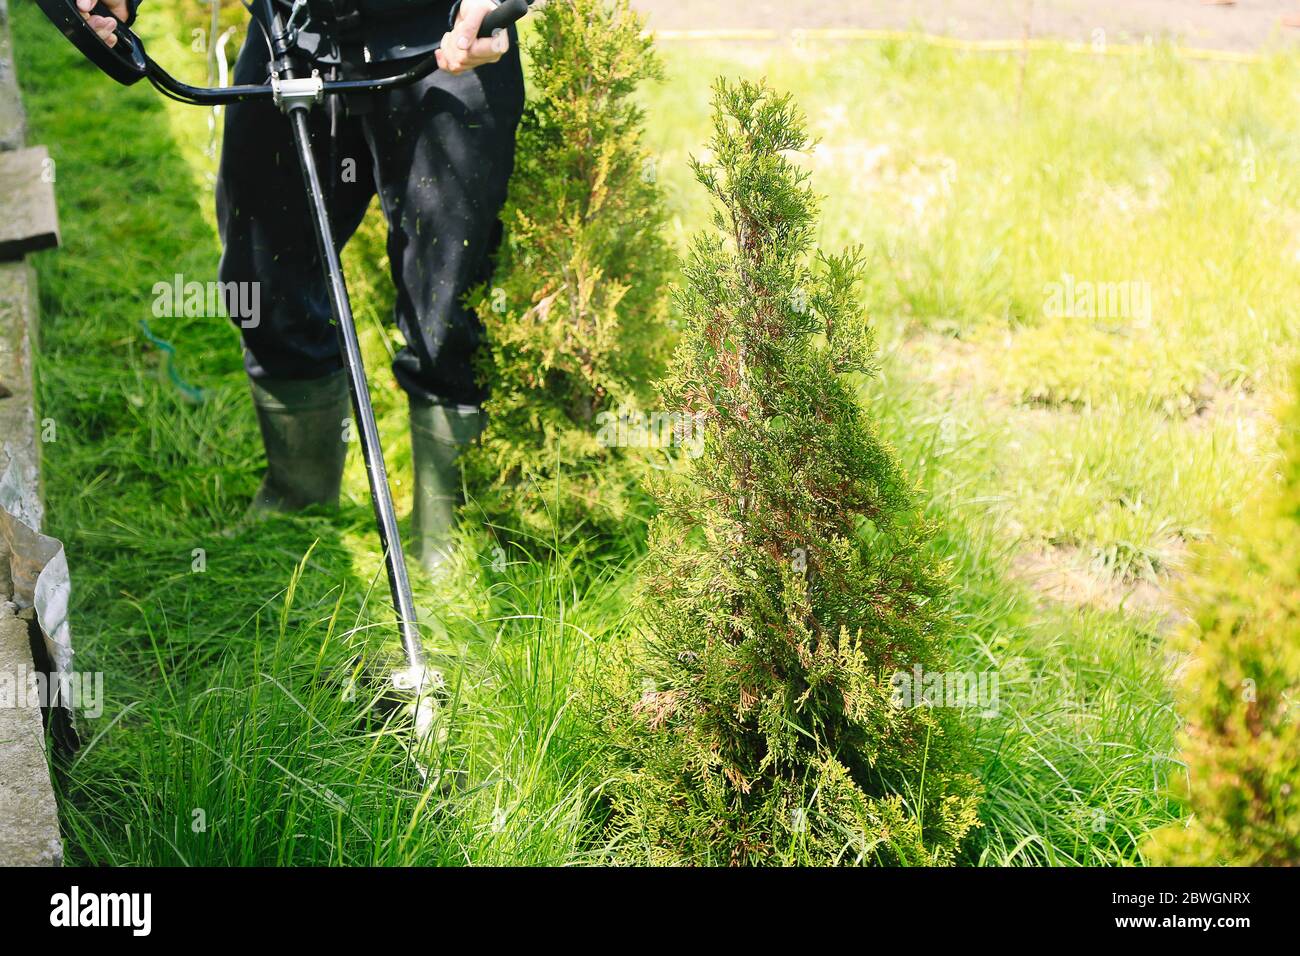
(440, 155)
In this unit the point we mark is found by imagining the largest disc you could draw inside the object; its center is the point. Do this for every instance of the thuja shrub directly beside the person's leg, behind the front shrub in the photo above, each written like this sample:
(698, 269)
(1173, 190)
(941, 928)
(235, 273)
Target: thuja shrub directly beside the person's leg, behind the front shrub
(577, 312)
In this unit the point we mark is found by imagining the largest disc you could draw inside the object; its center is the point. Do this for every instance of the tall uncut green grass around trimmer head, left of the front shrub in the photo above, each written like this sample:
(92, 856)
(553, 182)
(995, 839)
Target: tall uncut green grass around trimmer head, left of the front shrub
(276, 752)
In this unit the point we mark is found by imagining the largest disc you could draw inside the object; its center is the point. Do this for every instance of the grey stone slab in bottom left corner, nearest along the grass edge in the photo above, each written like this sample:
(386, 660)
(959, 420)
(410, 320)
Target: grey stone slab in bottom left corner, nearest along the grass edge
(29, 823)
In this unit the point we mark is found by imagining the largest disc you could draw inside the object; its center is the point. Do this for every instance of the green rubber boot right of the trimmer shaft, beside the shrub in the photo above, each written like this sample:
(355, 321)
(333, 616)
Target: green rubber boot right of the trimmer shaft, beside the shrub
(439, 435)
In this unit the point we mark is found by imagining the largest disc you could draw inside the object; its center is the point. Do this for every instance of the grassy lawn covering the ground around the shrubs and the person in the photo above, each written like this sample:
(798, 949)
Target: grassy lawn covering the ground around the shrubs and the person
(1072, 460)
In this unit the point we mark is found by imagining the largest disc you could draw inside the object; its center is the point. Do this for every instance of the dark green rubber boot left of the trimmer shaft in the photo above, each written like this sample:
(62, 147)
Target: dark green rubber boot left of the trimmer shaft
(302, 429)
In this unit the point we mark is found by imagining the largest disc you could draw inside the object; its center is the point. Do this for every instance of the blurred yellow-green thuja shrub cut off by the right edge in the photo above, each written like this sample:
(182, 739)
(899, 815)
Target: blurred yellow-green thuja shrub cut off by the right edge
(1241, 695)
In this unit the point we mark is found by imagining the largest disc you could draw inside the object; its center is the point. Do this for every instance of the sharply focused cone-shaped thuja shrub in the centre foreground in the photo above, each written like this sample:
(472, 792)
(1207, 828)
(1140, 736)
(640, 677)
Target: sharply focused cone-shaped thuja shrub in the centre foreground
(791, 578)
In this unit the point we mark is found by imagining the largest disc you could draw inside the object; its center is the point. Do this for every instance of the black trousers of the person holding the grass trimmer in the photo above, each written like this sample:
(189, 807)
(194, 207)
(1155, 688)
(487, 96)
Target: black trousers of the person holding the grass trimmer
(439, 154)
